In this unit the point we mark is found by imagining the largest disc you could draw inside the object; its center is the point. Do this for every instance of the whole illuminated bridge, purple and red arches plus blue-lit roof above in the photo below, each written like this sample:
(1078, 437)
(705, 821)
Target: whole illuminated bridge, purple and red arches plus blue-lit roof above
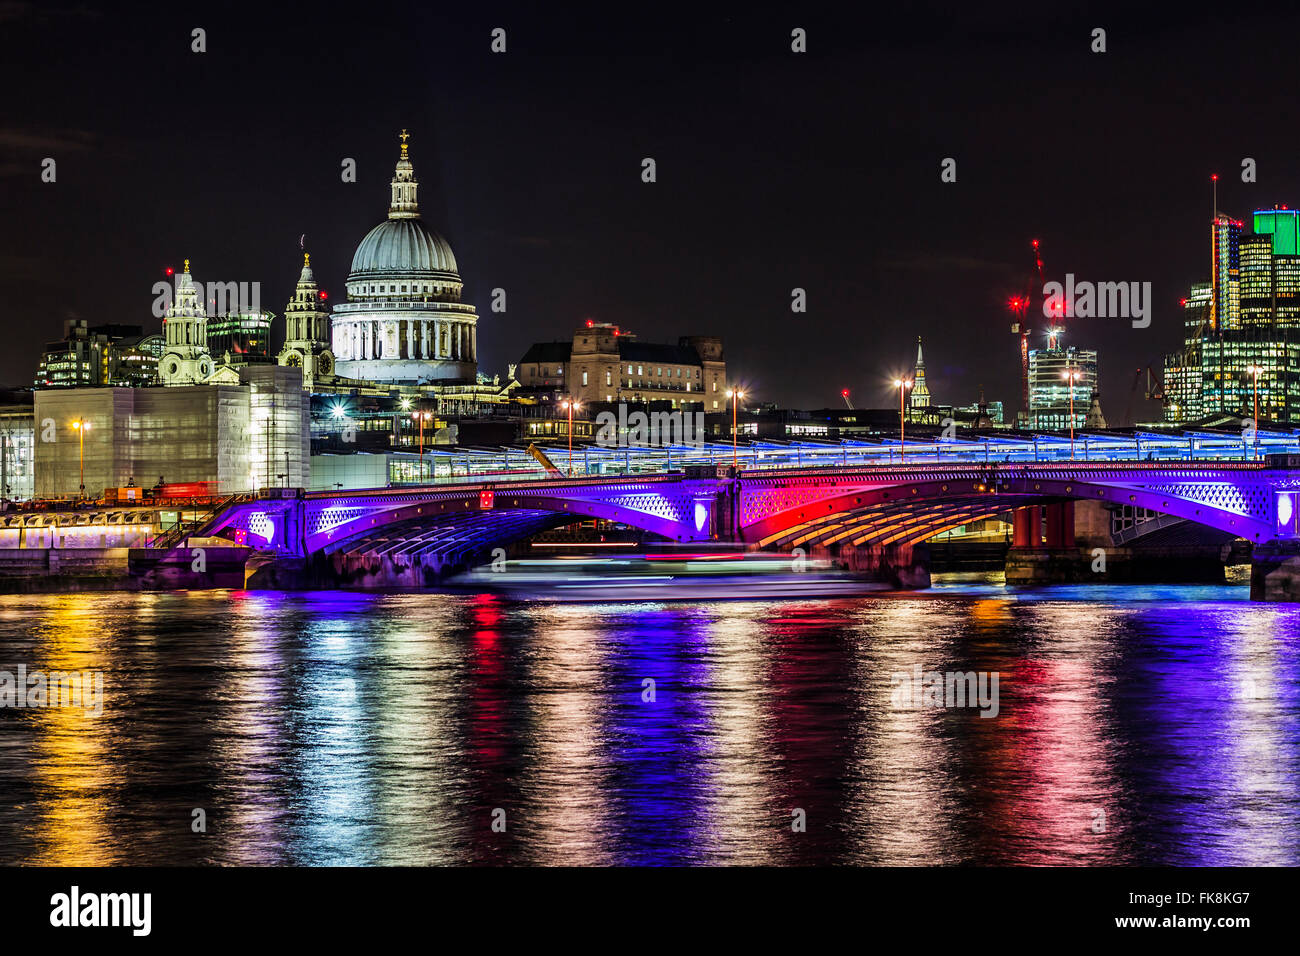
(436, 529)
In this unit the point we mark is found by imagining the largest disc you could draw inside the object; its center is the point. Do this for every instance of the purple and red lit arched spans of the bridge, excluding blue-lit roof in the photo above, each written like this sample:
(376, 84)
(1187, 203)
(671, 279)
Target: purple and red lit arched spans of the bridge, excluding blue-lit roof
(453, 526)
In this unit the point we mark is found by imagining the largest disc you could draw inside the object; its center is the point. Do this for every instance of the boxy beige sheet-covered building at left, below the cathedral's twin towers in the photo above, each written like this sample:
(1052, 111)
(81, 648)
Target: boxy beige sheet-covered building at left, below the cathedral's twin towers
(240, 438)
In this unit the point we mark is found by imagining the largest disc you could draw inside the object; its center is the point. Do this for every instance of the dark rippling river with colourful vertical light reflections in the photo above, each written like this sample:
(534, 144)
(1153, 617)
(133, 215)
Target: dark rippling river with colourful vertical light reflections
(1134, 726)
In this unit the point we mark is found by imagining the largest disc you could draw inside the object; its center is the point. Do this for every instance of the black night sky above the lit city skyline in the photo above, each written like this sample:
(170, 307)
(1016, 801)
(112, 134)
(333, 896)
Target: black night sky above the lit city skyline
(775, 171)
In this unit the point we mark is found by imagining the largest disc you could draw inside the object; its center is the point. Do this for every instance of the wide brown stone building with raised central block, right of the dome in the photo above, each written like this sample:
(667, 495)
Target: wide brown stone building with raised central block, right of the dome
(604, 364)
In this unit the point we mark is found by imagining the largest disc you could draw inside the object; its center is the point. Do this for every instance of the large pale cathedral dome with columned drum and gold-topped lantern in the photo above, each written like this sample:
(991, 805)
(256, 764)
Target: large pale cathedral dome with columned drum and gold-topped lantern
(404, 322)
